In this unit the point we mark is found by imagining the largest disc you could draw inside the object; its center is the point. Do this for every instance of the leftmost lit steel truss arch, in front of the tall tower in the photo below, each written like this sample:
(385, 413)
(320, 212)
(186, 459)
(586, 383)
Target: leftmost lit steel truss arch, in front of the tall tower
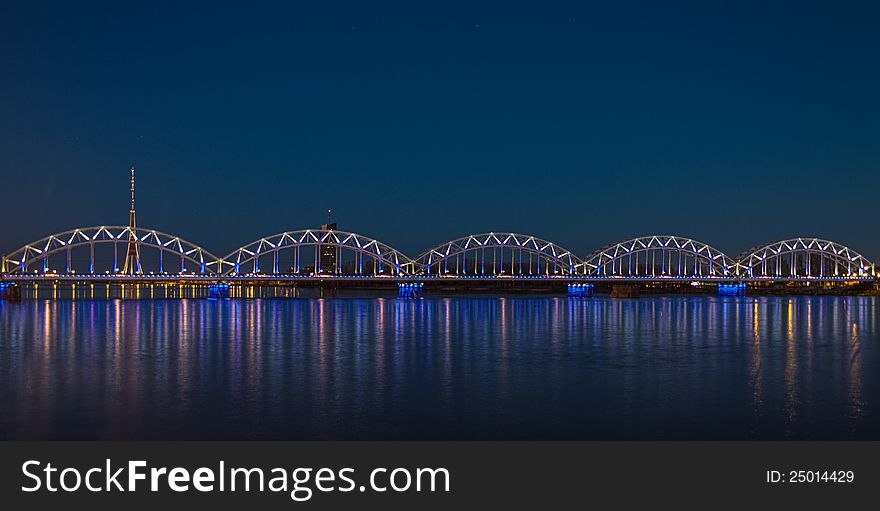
(40, 250)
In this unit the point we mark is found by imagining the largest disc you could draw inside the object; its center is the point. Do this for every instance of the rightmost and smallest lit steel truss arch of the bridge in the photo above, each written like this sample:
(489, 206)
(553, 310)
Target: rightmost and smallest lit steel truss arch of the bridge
(804, 257)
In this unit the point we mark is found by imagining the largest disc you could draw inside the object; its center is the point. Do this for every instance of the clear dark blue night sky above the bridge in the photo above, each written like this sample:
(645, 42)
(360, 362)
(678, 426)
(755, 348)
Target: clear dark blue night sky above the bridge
(582, 124)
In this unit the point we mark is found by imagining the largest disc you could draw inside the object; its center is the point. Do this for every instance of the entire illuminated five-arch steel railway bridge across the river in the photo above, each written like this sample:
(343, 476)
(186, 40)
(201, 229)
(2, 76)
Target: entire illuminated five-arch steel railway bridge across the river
(329, 255)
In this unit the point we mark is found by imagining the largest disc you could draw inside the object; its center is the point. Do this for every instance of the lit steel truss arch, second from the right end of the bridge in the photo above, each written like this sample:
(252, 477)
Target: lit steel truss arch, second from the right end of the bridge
(679, 257)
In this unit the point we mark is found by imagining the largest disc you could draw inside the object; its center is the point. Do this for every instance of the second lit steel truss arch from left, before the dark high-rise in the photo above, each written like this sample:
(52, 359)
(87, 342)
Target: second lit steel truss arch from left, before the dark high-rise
(384, 256)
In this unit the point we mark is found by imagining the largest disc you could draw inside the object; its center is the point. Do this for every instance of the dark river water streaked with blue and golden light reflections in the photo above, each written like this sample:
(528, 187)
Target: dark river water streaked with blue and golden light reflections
(462, 367)
